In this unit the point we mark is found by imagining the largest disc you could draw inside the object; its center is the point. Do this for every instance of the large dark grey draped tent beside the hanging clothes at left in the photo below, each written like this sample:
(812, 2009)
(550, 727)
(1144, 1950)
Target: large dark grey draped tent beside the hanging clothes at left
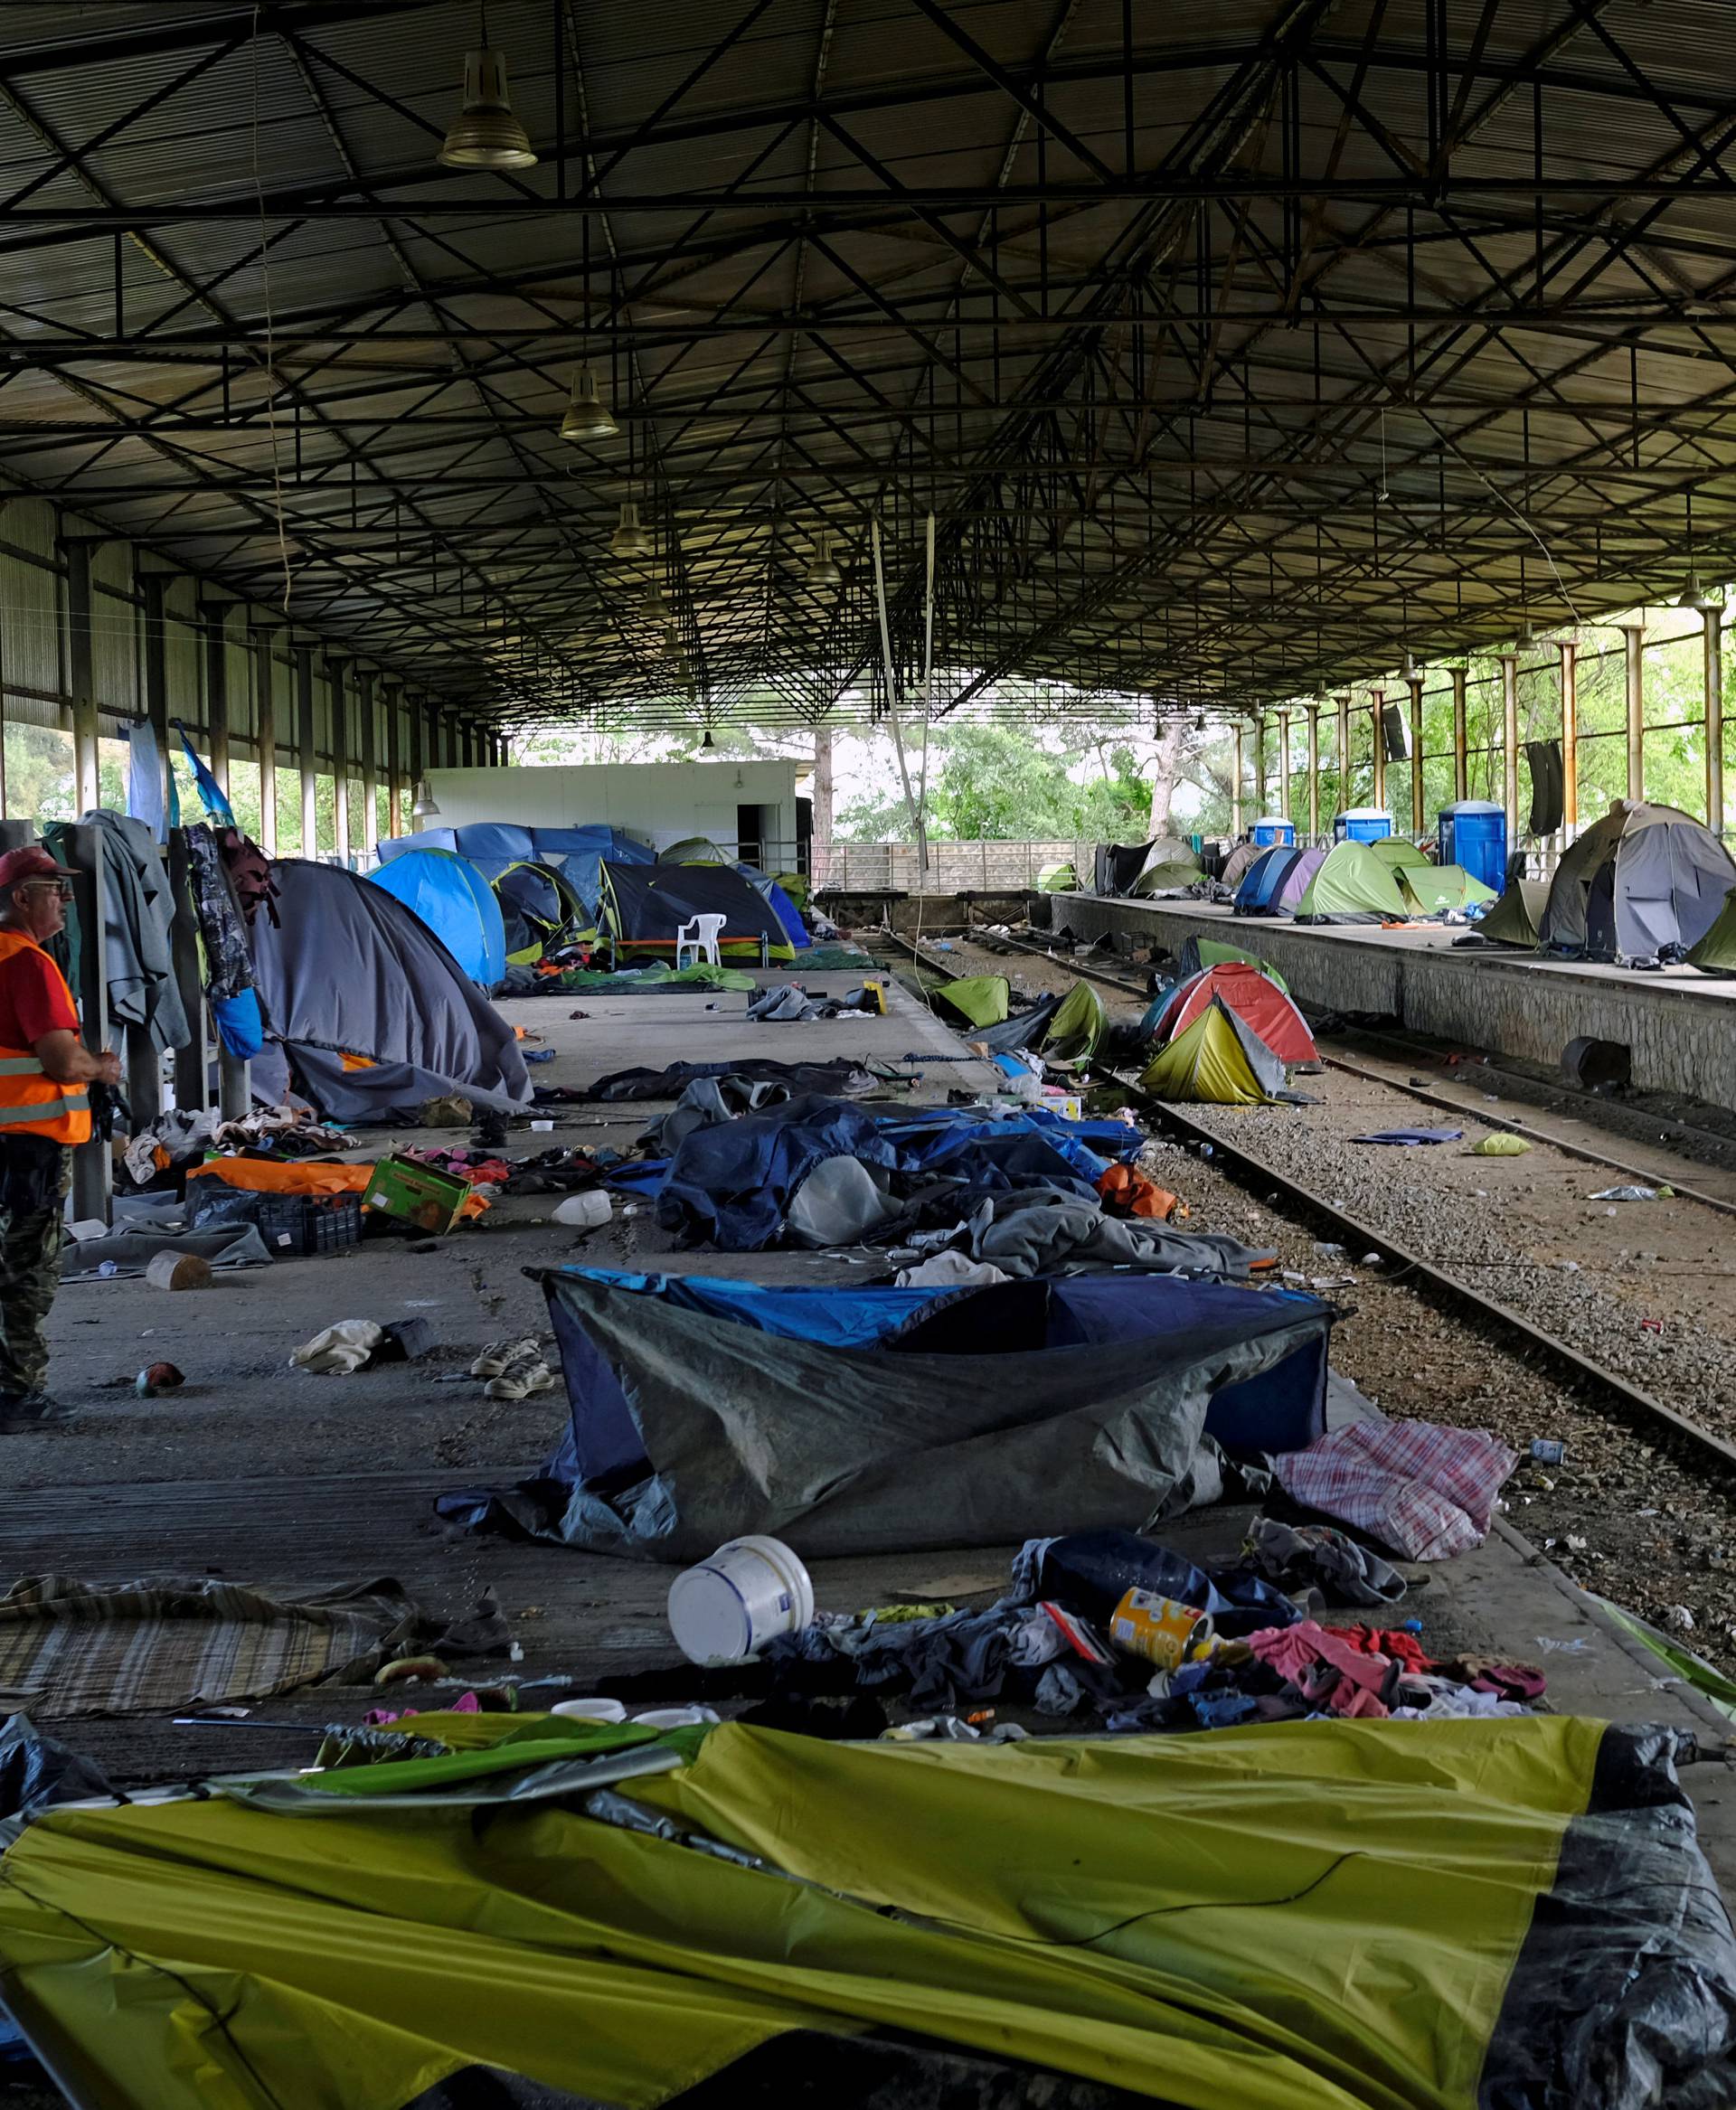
(368, 1008)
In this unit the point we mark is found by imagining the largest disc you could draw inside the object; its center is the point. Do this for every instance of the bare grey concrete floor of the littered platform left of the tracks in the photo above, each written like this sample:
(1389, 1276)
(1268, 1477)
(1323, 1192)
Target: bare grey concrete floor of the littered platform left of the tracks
(292, 1482)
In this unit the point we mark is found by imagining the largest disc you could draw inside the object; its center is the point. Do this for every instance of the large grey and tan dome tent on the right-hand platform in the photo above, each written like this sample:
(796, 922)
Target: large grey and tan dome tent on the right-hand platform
(1642, 885)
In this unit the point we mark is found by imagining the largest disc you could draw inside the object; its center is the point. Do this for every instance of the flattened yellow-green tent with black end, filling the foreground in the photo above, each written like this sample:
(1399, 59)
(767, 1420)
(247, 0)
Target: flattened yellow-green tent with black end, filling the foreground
(765, 1917)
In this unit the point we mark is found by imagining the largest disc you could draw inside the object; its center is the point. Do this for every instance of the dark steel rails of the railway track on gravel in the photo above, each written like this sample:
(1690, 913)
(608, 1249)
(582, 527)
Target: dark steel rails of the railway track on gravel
(1632, 1402)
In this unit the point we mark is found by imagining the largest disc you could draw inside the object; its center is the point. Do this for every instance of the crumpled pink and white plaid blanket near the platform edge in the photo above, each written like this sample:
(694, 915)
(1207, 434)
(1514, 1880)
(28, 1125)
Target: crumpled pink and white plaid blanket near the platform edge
(1427, 1491)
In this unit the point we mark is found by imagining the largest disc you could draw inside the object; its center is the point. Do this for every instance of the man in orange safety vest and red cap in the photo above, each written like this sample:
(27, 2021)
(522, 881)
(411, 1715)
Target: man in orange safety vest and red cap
(45, 1111)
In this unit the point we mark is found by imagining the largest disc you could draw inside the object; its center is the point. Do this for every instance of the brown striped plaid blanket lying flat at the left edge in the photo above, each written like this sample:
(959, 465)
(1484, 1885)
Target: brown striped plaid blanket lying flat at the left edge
(187, 1643)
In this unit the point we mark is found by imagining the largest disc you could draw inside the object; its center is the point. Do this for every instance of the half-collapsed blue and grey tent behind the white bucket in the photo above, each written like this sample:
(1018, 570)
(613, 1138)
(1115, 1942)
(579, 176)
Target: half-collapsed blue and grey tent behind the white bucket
(1041, 1406)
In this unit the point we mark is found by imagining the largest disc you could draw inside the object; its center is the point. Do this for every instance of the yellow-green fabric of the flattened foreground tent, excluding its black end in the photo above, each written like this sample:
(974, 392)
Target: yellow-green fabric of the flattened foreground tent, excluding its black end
(1292, 1917)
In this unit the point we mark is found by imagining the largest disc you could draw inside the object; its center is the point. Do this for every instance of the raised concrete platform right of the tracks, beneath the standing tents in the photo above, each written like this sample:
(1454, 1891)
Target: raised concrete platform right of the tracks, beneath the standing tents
(1680, 1027)
